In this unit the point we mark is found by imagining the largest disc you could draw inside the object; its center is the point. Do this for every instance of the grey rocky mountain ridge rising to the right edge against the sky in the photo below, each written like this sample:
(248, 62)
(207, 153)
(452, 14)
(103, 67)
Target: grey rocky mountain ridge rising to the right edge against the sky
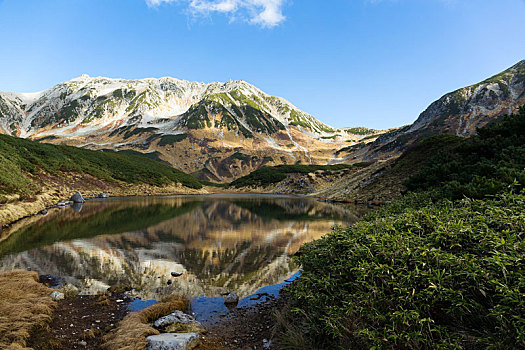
(460, 112)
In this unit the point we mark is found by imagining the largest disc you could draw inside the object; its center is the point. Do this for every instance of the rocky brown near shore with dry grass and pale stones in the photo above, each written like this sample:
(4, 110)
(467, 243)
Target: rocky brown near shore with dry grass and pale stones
(105, 321)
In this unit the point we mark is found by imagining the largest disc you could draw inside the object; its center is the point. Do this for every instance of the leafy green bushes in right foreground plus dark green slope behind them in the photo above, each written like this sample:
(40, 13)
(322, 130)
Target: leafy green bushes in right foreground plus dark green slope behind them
(428, 271)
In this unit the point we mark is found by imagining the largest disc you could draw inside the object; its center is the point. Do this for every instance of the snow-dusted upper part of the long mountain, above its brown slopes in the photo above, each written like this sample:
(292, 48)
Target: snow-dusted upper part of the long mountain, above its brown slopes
(85, 104)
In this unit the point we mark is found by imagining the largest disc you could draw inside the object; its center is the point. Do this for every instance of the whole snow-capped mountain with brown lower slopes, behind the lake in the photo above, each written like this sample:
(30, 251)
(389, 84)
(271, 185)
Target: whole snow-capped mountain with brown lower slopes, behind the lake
(218, 131)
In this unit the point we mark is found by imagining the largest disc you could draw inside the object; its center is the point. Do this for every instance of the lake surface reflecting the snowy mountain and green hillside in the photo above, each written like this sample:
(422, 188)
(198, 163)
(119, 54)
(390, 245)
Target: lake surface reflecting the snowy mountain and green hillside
(220, 243)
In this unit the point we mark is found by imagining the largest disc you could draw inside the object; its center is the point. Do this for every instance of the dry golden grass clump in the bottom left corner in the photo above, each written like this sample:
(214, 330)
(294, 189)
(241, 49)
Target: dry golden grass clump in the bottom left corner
(24, 305)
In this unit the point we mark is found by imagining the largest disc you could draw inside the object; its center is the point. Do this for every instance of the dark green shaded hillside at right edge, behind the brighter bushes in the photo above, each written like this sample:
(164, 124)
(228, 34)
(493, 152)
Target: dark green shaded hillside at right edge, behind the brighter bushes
(486, 164)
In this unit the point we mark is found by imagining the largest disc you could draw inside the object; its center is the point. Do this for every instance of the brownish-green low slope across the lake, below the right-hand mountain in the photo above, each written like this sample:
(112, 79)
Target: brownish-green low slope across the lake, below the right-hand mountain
(369, 183)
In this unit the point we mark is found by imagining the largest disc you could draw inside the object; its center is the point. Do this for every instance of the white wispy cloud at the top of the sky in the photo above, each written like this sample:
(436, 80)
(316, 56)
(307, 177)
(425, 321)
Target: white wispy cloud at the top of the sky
(266, 13)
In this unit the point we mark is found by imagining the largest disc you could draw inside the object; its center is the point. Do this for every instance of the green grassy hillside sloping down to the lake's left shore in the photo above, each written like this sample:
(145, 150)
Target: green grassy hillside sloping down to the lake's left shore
(25, 166)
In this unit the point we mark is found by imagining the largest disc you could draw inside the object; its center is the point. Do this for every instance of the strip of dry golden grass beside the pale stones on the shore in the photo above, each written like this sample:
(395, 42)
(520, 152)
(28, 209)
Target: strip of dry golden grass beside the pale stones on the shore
(132, 331)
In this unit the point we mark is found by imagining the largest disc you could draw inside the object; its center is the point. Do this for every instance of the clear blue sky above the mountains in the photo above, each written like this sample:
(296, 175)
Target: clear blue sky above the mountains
(375, 63)
